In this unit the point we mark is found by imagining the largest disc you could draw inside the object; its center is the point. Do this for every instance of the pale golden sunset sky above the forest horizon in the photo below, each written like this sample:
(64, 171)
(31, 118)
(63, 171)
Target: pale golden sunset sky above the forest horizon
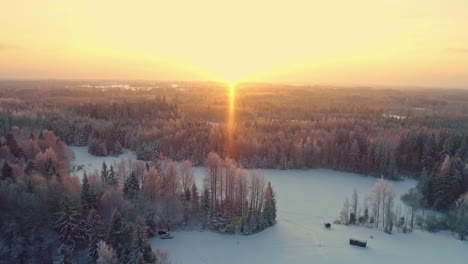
(368, 42)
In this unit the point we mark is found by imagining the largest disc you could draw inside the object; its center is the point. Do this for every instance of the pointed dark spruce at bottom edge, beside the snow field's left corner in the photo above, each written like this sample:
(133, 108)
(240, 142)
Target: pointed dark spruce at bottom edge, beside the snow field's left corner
(140, 248)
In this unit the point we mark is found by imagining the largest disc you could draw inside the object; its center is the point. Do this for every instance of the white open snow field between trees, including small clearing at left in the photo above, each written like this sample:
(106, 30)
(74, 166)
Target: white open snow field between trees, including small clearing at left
(306, 199)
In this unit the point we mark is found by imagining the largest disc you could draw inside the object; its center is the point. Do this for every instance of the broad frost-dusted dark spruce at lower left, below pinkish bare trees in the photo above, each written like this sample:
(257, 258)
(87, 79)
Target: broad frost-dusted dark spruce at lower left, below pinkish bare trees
(68, 225)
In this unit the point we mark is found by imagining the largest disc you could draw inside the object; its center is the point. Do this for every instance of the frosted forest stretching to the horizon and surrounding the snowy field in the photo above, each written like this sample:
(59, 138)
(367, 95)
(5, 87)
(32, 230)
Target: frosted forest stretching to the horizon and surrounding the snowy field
(50, 216)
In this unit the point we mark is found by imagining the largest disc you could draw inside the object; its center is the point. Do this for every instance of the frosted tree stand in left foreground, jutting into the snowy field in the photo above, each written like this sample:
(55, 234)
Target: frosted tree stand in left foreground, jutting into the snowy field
(108, 217)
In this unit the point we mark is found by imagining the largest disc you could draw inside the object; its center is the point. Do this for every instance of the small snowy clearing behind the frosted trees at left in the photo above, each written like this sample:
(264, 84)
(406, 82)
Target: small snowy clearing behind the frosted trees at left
(85, 162)
